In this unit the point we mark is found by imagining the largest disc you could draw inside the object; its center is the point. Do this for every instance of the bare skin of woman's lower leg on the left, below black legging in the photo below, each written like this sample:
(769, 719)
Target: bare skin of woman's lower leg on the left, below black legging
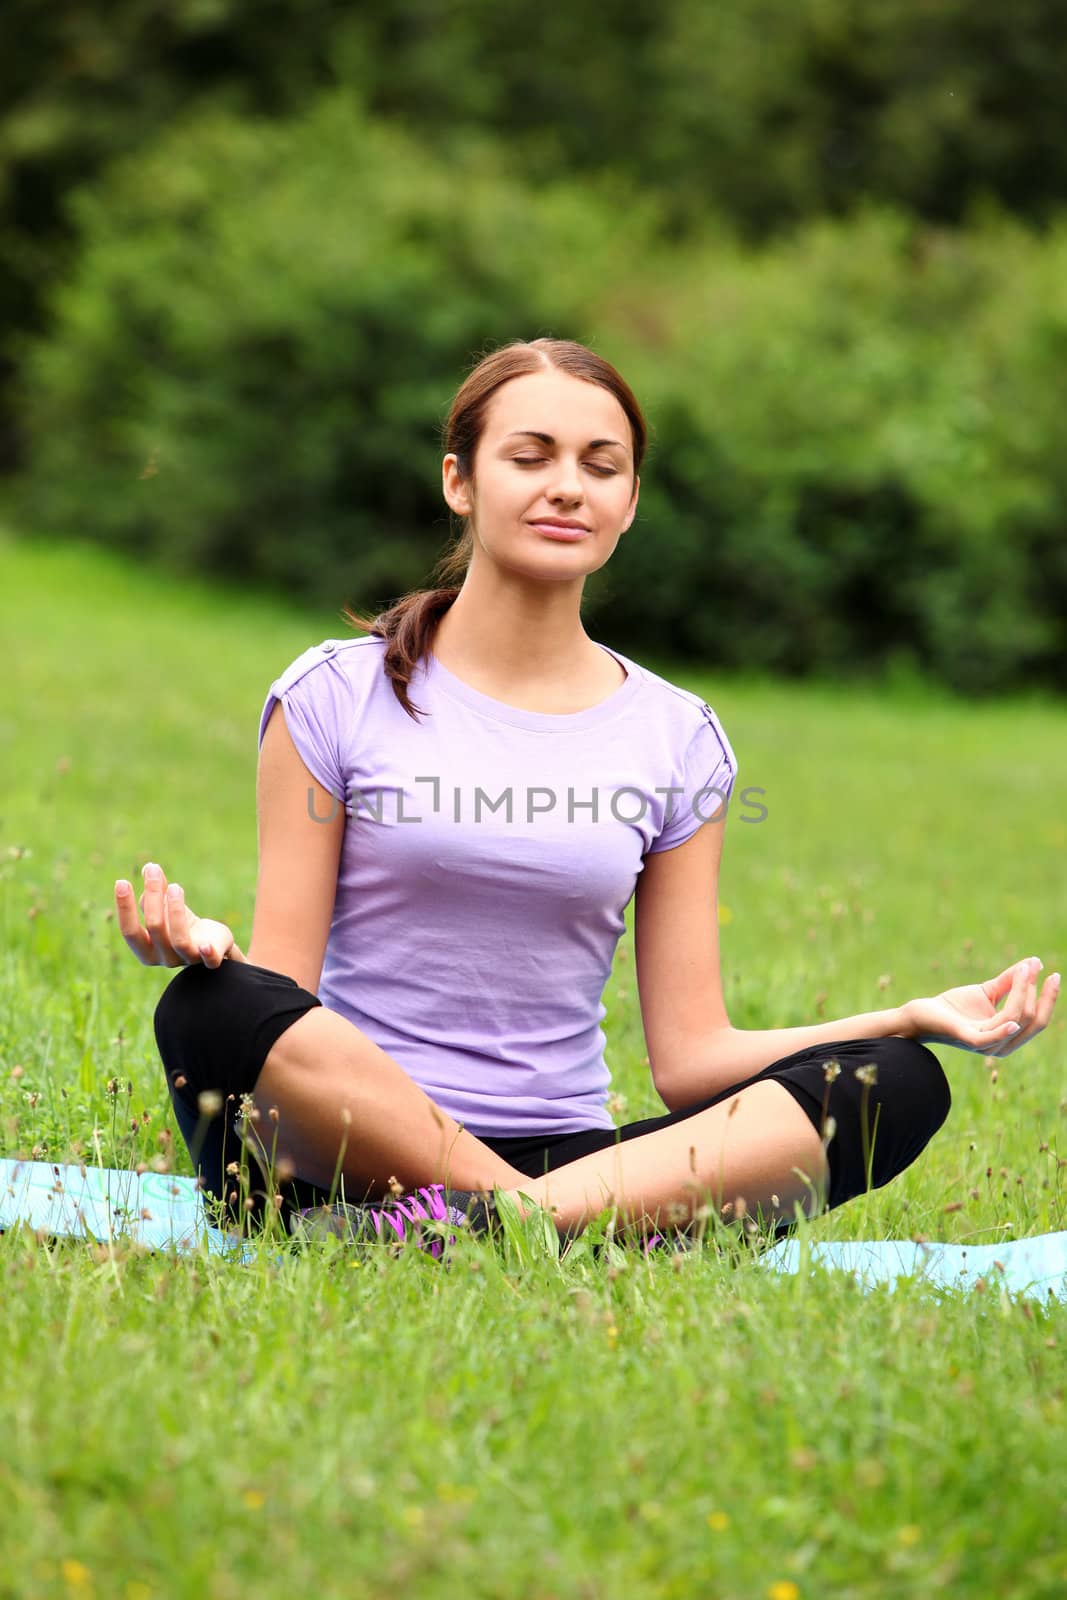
(338, 1095)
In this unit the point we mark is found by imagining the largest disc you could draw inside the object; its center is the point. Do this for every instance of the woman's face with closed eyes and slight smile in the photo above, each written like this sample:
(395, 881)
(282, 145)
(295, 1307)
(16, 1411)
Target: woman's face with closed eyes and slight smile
(554, 449)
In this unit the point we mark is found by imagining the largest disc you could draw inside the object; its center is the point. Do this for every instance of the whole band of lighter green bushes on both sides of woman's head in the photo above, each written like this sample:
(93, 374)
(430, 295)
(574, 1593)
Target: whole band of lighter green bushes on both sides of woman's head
(858, 436)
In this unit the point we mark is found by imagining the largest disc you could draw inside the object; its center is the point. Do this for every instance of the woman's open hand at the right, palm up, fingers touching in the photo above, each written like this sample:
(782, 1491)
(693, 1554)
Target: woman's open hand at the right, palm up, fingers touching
(969, 1017)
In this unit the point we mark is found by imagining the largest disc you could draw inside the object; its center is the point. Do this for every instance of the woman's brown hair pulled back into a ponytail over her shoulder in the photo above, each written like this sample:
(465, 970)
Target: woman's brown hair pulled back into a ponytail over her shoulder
(410, 623)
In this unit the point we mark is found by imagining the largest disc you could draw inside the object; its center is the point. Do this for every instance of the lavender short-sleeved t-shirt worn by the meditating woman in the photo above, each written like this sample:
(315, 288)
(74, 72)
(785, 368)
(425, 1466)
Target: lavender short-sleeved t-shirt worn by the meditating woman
(487, 862)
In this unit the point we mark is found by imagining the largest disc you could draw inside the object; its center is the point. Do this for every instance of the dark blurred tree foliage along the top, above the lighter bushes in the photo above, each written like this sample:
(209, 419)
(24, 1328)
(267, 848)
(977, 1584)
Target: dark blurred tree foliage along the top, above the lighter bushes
(761, 113)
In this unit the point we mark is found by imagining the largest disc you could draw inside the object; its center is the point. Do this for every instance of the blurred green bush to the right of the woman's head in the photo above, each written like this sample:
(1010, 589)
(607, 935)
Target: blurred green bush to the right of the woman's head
(863, 455)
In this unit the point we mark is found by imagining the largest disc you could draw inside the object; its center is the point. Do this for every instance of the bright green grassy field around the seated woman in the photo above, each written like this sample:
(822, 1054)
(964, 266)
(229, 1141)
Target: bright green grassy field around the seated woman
(518, 1428)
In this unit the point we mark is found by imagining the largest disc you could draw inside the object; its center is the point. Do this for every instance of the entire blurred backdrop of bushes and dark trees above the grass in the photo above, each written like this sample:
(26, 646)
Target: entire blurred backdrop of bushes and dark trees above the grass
(249, 249)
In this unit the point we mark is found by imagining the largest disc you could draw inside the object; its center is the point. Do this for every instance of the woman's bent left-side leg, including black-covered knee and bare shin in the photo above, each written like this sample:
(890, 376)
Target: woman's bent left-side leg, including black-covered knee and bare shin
(247, 1031)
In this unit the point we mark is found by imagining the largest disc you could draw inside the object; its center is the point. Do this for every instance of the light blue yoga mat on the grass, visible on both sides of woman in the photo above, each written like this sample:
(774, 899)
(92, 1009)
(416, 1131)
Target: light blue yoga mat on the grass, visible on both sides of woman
(167, 1214)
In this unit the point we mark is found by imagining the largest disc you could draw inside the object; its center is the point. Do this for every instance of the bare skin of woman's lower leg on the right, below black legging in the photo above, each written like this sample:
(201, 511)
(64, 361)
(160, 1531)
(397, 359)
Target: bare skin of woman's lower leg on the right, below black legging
(743, 1148)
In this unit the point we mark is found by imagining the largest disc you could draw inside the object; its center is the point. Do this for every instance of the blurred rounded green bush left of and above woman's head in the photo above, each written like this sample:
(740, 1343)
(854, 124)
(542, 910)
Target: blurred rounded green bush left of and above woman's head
(250, 369)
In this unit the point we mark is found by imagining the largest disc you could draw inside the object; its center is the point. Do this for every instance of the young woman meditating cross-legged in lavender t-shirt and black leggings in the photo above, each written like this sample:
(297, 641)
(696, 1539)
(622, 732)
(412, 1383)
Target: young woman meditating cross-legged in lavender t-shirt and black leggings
(455, 812)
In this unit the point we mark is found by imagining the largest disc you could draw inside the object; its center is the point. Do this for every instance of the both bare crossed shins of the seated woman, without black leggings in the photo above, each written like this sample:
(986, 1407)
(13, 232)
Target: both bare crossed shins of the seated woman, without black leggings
(343, 1103)
